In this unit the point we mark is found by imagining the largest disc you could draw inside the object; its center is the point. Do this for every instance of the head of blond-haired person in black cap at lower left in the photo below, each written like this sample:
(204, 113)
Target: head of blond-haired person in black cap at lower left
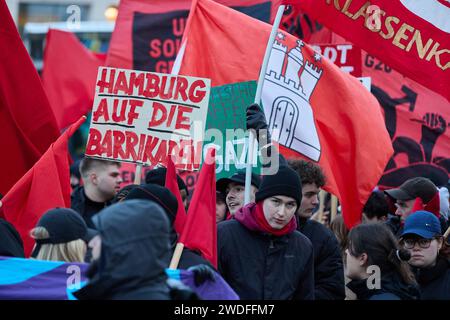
(61, 235)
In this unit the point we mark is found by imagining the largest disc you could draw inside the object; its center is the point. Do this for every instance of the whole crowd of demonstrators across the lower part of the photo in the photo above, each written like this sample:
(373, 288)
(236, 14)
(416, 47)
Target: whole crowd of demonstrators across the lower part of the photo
(270, 248)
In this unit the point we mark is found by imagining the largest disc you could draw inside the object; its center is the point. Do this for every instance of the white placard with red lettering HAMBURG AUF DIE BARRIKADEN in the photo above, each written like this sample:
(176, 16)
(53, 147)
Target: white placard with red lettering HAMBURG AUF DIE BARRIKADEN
(142, 117)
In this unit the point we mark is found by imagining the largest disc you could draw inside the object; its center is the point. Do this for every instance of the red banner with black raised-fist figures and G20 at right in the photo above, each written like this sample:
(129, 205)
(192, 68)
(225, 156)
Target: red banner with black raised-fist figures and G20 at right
(417, 120)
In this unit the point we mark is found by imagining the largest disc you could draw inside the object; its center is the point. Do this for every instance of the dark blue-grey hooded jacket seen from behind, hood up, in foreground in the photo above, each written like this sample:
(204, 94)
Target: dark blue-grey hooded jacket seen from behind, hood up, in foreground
(134, 254)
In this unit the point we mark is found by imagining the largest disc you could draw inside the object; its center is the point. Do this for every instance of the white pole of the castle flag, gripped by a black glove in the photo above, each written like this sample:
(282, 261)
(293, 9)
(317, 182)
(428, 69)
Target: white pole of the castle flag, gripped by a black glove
(251, 141)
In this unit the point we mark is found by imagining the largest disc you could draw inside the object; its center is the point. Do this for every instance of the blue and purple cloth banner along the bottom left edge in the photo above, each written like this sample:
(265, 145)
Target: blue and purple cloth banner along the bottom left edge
(57, 280)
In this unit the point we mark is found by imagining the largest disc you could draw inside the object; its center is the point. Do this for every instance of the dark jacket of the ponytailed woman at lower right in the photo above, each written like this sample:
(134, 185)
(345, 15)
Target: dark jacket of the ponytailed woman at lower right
(392, 287)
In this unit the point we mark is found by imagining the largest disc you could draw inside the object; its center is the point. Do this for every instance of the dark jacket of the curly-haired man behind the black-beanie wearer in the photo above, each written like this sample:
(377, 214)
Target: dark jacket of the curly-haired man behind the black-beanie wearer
(328, 266)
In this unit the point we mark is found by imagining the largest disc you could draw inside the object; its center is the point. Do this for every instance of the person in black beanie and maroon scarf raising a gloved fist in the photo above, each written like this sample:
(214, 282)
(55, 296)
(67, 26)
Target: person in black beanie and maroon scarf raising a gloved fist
(260, 253)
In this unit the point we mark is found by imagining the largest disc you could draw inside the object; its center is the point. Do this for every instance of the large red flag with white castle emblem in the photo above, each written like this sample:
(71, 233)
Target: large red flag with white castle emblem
(315, 111)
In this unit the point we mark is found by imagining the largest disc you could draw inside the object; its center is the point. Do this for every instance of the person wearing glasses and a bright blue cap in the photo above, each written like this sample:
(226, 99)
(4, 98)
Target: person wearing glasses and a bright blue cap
(429, 254)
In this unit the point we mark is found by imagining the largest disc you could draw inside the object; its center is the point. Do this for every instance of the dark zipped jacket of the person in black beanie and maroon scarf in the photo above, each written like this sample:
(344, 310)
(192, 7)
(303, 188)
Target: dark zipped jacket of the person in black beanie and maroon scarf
(258, 265)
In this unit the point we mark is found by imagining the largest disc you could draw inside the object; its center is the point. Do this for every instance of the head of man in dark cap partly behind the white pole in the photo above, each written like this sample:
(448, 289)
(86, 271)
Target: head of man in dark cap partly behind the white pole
(234, 189)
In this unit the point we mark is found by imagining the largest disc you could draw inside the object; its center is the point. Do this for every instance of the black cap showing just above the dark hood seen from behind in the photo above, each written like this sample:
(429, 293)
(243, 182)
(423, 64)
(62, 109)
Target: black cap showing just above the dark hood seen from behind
(161, 195)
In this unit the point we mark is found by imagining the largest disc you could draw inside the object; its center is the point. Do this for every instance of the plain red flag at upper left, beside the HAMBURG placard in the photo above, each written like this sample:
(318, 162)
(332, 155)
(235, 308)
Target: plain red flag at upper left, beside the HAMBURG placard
(69, 75)
